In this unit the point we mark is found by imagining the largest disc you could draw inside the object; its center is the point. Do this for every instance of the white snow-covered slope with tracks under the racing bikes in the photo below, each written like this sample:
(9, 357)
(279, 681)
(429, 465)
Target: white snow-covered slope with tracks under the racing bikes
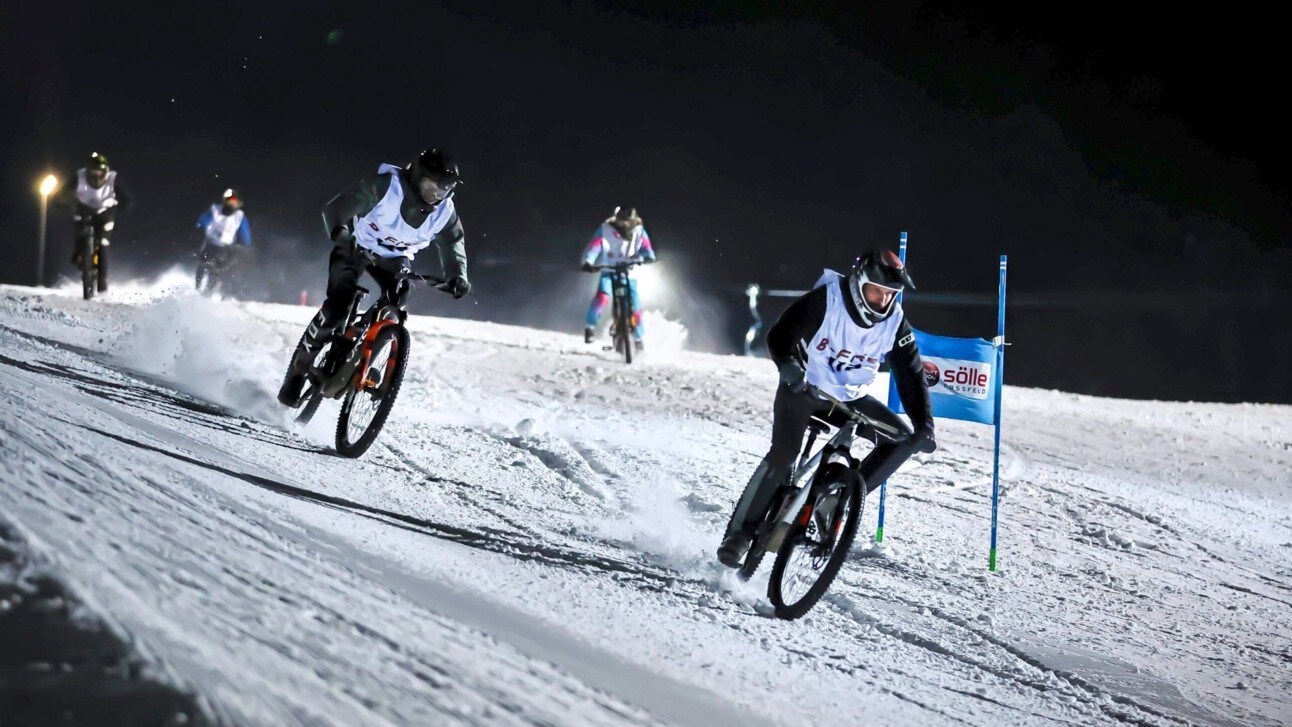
(530, 540)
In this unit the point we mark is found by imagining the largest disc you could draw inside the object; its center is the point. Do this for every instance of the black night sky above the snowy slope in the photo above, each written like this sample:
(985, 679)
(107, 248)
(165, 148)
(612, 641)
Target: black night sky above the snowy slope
(1132, 169)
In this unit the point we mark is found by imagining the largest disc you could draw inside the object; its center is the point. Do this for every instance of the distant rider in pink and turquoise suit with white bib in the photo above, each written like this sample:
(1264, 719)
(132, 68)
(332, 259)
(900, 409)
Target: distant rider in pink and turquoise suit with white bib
(622, 238)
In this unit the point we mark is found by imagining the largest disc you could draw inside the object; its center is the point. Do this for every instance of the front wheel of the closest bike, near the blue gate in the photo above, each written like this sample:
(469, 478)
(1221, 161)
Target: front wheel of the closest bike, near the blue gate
(815, 551)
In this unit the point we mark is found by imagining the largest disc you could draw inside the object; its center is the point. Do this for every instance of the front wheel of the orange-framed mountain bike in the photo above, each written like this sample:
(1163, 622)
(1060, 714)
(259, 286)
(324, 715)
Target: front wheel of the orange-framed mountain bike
(366, 407)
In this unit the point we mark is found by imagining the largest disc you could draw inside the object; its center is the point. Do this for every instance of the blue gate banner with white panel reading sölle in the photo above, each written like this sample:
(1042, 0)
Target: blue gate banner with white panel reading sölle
(961, 375)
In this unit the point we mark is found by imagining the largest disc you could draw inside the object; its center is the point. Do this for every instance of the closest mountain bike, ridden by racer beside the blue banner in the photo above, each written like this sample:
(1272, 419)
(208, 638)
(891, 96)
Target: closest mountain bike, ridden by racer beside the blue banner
(812, 521)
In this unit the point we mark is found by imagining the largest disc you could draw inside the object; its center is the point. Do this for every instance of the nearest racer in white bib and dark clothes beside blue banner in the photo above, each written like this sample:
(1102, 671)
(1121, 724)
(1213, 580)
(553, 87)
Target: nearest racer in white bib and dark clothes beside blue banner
(835, 339)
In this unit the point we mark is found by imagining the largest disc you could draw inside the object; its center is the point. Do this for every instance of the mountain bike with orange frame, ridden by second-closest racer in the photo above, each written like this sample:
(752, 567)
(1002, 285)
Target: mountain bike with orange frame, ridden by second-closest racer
(364, 365)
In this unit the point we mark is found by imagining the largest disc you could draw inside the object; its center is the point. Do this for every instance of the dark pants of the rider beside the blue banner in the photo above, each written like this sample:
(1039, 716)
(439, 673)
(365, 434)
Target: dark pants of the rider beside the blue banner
(790, 418)
